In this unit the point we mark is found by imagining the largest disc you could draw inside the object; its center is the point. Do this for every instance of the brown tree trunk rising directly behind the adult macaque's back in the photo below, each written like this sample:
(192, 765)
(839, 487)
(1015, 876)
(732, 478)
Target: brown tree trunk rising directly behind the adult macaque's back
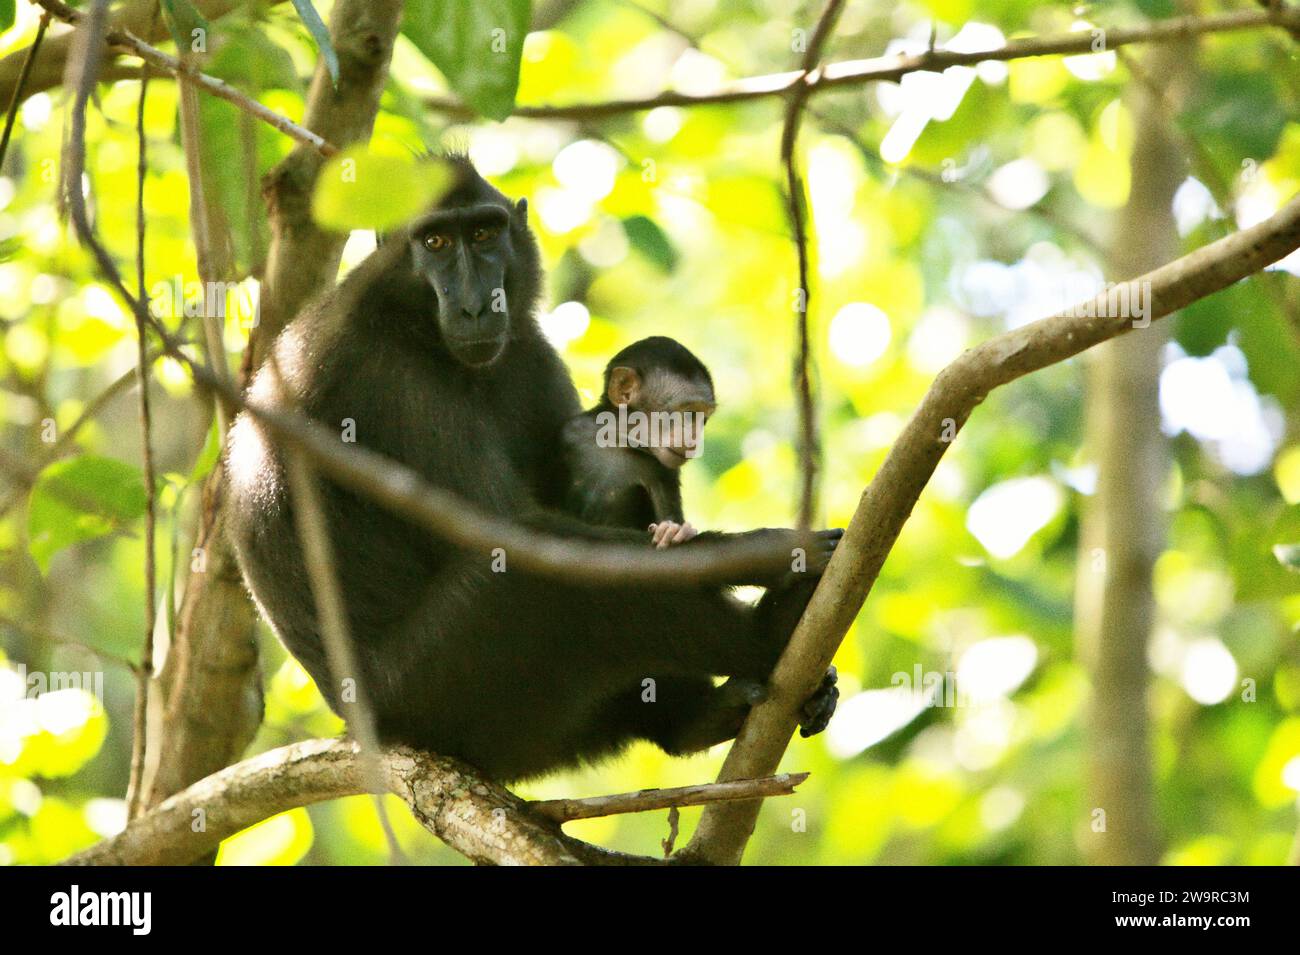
(206, 704)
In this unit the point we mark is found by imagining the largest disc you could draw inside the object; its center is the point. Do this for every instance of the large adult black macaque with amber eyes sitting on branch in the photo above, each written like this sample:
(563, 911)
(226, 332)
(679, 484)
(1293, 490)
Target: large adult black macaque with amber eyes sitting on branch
(430, 353)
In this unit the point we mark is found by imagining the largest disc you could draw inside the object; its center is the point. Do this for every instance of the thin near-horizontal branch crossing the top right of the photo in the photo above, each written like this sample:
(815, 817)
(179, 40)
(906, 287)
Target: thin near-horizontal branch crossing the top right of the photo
(894, 68)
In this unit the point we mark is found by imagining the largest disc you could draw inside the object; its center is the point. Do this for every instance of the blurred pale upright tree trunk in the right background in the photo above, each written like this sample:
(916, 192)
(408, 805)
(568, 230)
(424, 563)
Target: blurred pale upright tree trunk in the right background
(1124, 524)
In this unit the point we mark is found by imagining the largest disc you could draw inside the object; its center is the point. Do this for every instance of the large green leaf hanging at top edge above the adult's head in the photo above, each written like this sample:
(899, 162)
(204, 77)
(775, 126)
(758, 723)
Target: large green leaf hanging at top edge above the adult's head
(476, 44)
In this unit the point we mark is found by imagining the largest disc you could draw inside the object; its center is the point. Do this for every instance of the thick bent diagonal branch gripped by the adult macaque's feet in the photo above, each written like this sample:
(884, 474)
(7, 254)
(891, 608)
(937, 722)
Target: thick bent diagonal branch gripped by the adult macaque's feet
(890, 498)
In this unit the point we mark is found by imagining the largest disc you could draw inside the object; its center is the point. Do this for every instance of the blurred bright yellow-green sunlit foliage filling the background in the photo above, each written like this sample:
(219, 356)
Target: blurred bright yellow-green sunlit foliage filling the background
(673, 223)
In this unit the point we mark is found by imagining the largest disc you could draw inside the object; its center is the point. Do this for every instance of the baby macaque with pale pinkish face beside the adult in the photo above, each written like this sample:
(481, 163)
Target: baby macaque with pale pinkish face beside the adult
(625, 455)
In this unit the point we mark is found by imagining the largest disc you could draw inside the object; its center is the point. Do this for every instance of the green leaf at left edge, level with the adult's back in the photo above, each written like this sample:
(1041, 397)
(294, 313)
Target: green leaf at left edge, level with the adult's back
(80, 500)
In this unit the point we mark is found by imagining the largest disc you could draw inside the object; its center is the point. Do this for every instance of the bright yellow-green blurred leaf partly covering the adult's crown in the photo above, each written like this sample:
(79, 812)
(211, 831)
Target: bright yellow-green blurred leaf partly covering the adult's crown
(363, 190)
